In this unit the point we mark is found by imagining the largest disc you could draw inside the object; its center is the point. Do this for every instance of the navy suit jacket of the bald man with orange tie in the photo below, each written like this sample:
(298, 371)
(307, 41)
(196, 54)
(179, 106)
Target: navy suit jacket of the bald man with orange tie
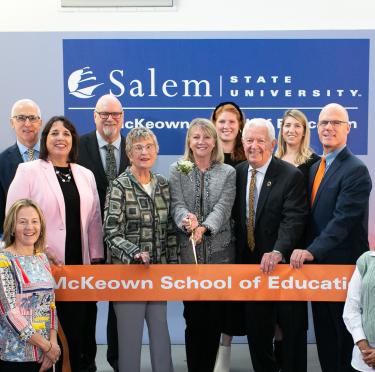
(337, 232)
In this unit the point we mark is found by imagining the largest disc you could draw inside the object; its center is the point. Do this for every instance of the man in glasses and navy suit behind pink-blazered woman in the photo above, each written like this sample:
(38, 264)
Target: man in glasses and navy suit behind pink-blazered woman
(26, 121)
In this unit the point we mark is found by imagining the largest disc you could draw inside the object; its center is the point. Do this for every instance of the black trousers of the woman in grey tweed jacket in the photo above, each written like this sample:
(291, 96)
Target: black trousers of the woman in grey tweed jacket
(202, 334)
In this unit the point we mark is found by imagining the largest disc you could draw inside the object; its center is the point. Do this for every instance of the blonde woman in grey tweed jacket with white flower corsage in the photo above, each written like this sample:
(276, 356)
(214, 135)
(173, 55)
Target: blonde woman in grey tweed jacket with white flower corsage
(203, 190)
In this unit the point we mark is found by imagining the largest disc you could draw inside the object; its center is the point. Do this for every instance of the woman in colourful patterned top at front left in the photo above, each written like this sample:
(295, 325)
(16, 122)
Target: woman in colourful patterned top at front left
(28, 322)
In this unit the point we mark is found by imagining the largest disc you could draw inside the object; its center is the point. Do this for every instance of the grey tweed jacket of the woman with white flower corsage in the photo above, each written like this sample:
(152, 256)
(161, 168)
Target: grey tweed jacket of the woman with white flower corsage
(210, 196)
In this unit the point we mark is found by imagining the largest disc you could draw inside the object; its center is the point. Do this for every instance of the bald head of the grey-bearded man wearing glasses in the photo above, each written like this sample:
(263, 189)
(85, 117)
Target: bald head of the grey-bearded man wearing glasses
(108, 117)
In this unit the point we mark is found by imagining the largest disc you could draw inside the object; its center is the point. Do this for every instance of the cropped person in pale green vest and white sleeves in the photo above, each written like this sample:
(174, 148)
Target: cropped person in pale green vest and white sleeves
(359, 313)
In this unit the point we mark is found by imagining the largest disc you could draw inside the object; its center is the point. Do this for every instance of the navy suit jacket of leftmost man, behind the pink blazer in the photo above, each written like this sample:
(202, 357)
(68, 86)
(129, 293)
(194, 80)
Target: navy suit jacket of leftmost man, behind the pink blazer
(9, 160)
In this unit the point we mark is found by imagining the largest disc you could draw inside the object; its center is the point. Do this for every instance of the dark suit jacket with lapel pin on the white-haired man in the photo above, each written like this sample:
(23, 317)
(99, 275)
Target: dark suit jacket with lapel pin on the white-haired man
(281, 211)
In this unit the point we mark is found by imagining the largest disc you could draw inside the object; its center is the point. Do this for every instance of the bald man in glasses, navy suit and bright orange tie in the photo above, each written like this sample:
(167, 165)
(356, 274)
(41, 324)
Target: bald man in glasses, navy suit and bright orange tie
(337, 232)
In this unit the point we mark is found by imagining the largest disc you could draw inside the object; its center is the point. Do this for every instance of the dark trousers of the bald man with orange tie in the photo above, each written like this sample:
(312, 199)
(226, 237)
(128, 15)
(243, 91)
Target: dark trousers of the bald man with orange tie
(333, 341)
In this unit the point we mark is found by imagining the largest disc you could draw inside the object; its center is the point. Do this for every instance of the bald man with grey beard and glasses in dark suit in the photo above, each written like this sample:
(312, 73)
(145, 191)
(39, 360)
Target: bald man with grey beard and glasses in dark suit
(103, 152)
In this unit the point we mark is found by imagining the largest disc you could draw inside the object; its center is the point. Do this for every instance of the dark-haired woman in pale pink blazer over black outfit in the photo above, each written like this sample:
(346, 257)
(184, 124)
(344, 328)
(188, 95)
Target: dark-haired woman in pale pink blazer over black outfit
(67, 194)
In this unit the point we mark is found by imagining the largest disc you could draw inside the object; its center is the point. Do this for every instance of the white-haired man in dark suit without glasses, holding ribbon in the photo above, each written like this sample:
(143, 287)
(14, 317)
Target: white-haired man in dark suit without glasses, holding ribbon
(280, 218)
